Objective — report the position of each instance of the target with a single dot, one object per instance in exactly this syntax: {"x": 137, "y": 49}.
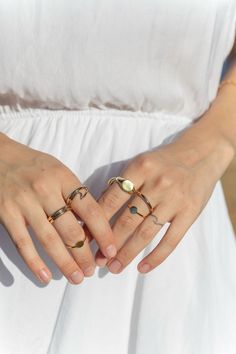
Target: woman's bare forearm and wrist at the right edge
{"x": 214, "y": 134}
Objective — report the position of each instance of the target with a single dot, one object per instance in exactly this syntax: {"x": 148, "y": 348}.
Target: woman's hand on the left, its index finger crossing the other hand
{"x": 33, "y": 185}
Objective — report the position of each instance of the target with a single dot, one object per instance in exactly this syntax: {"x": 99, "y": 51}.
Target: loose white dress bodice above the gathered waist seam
{"x": 157, "y": 55}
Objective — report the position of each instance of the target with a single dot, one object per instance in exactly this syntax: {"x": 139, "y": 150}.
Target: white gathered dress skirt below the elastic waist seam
{"x": 187, "y": 305}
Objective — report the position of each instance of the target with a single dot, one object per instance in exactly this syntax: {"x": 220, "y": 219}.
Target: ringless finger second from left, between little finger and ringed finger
{"x": 53, "y": 244}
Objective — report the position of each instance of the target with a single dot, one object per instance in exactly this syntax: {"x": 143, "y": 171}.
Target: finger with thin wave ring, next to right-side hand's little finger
{"x": 142, "y": 236}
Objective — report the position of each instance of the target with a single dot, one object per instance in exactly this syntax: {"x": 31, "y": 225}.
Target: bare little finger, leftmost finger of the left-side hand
{"x": 19, "y": 234}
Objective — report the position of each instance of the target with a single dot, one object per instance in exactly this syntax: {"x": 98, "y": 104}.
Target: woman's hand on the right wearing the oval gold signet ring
{"x": 178, "y": 180}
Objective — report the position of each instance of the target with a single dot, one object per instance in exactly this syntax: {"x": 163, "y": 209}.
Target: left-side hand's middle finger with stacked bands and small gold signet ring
{"x": 71, "y": 232}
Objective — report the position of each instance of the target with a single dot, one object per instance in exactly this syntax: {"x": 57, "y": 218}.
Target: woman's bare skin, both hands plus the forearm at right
{"x": 178, "y": 179}
